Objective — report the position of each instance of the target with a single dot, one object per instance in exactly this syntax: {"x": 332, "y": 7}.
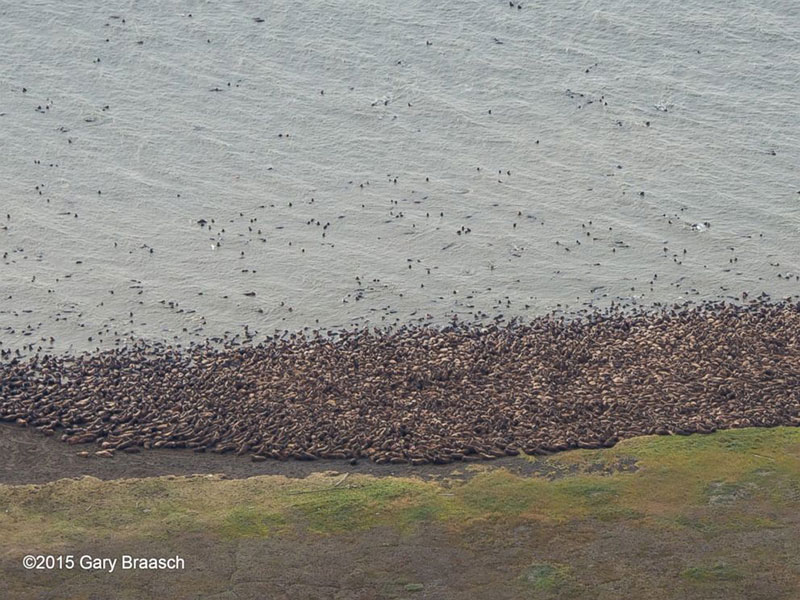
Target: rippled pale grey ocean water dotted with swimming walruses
{"x": 364, "y": 163}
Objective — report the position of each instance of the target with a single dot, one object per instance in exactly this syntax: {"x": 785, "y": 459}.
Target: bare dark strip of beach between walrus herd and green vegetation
{"x": 33, "y": 459}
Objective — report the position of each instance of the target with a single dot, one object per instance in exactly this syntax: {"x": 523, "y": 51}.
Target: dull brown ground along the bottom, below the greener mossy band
{"x": 496, "y": 561}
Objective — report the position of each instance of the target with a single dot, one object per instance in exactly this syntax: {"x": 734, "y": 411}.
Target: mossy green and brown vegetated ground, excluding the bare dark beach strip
{"x": 699, "y": 516}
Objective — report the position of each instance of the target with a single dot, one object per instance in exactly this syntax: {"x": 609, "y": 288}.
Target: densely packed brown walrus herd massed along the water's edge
{"x": 424, "y": 394}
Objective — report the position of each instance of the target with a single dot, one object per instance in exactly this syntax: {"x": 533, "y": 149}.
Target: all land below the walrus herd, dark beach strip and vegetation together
{"x": 703, "y": 517}
